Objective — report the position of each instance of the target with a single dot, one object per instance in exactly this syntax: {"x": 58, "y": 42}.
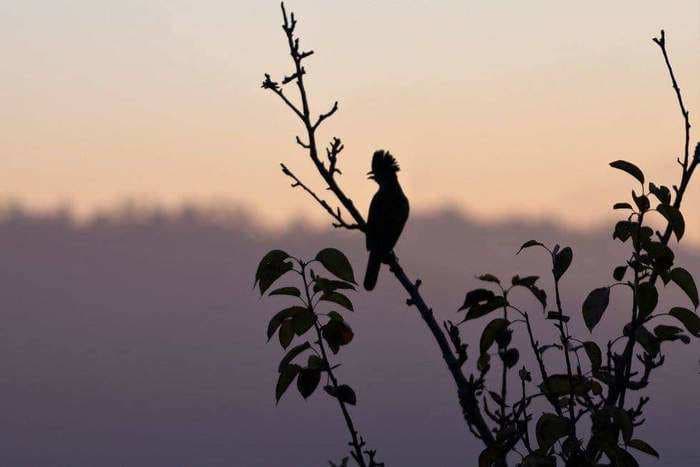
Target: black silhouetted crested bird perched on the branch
{"x": 388, "y": 213}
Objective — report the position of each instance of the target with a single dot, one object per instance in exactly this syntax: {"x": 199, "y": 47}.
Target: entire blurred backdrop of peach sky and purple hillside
{"x": 140, "y": 185}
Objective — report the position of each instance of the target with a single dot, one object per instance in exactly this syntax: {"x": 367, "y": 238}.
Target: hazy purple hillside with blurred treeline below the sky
{"x": 135, "y": 338}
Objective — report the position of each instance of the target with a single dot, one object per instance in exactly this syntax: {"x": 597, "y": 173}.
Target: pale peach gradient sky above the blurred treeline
{"x": 499, "y": 107}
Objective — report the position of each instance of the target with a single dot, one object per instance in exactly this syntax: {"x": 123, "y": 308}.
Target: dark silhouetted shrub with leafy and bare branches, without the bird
{"x": 577, "y": 409}
